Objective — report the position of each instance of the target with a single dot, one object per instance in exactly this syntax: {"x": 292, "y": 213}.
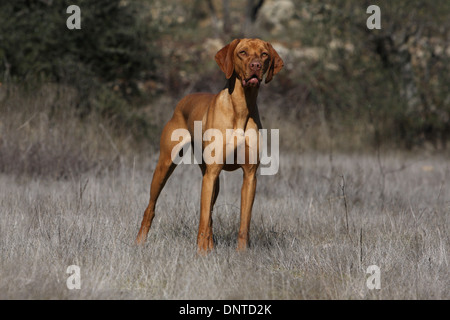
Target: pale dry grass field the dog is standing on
{"x": 317, "y": 226}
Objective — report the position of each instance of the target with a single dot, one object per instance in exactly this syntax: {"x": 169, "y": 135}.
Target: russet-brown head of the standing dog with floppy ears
{"x": 249, "y": 59}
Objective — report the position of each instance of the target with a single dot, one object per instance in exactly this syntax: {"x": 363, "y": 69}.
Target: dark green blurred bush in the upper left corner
{"x": 113, "y": 45}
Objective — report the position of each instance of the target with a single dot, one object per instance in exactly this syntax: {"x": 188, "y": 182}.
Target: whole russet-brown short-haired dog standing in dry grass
{"x": 244, "y": 62}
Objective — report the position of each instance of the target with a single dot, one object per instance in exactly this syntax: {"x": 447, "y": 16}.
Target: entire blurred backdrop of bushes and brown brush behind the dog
{"x": 344, "y": 87}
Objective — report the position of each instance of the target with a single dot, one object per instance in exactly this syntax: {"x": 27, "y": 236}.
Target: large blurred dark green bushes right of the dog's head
{"x": 392, "y": 81}
